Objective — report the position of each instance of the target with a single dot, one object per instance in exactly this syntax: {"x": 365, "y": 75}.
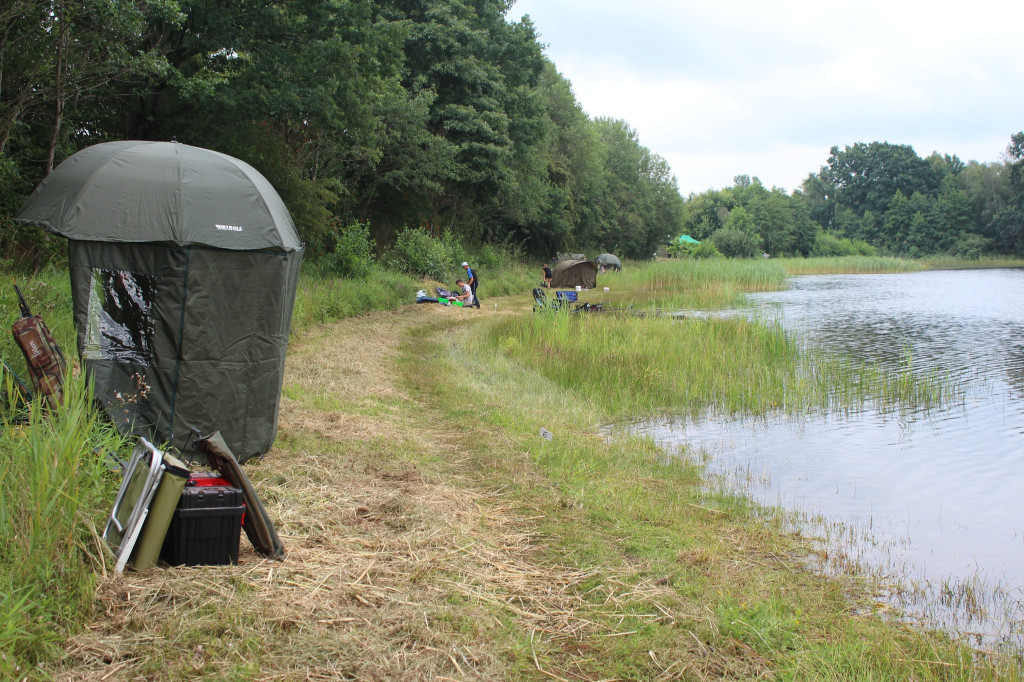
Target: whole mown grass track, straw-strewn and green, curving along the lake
{"x": 433, "y": 535}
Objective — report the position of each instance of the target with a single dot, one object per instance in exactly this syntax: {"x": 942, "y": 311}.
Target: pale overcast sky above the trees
{"x": 765, "y": 90}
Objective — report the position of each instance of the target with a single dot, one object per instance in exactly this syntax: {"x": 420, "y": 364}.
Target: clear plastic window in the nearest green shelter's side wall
{"x": 120, "y": 326}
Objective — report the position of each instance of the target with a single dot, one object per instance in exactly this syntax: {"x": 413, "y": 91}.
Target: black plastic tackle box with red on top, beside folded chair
{"x": 206, "y": 527}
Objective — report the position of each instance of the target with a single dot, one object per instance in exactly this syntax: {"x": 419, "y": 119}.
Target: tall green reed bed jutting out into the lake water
{"x": 641, "y": 366}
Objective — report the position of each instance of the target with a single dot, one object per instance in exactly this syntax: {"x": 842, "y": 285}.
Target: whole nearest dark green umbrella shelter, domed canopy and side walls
{"x": 184, "y": 269}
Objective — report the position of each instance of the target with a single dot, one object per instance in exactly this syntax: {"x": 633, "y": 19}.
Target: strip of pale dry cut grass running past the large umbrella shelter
{"x": 393, "y": 572}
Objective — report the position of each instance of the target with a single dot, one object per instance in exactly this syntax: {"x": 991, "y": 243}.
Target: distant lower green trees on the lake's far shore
{"x": 874, "y": 198}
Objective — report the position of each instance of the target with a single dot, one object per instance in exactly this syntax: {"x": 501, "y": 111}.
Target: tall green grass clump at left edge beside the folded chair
{"x": 56, "y": 495}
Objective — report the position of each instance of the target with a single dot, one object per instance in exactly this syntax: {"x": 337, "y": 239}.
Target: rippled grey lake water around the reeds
{"x": 932, "y": 498}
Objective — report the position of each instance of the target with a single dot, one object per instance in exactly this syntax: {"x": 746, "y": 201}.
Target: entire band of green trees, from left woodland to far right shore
{"x": 376, "y": 117}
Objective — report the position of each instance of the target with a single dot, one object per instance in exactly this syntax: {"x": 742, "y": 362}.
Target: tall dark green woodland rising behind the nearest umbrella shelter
{"x": 436, "y": 115}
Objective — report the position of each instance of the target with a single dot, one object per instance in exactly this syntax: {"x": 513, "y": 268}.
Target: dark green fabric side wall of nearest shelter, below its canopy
{"x": 184, "y": 338}
